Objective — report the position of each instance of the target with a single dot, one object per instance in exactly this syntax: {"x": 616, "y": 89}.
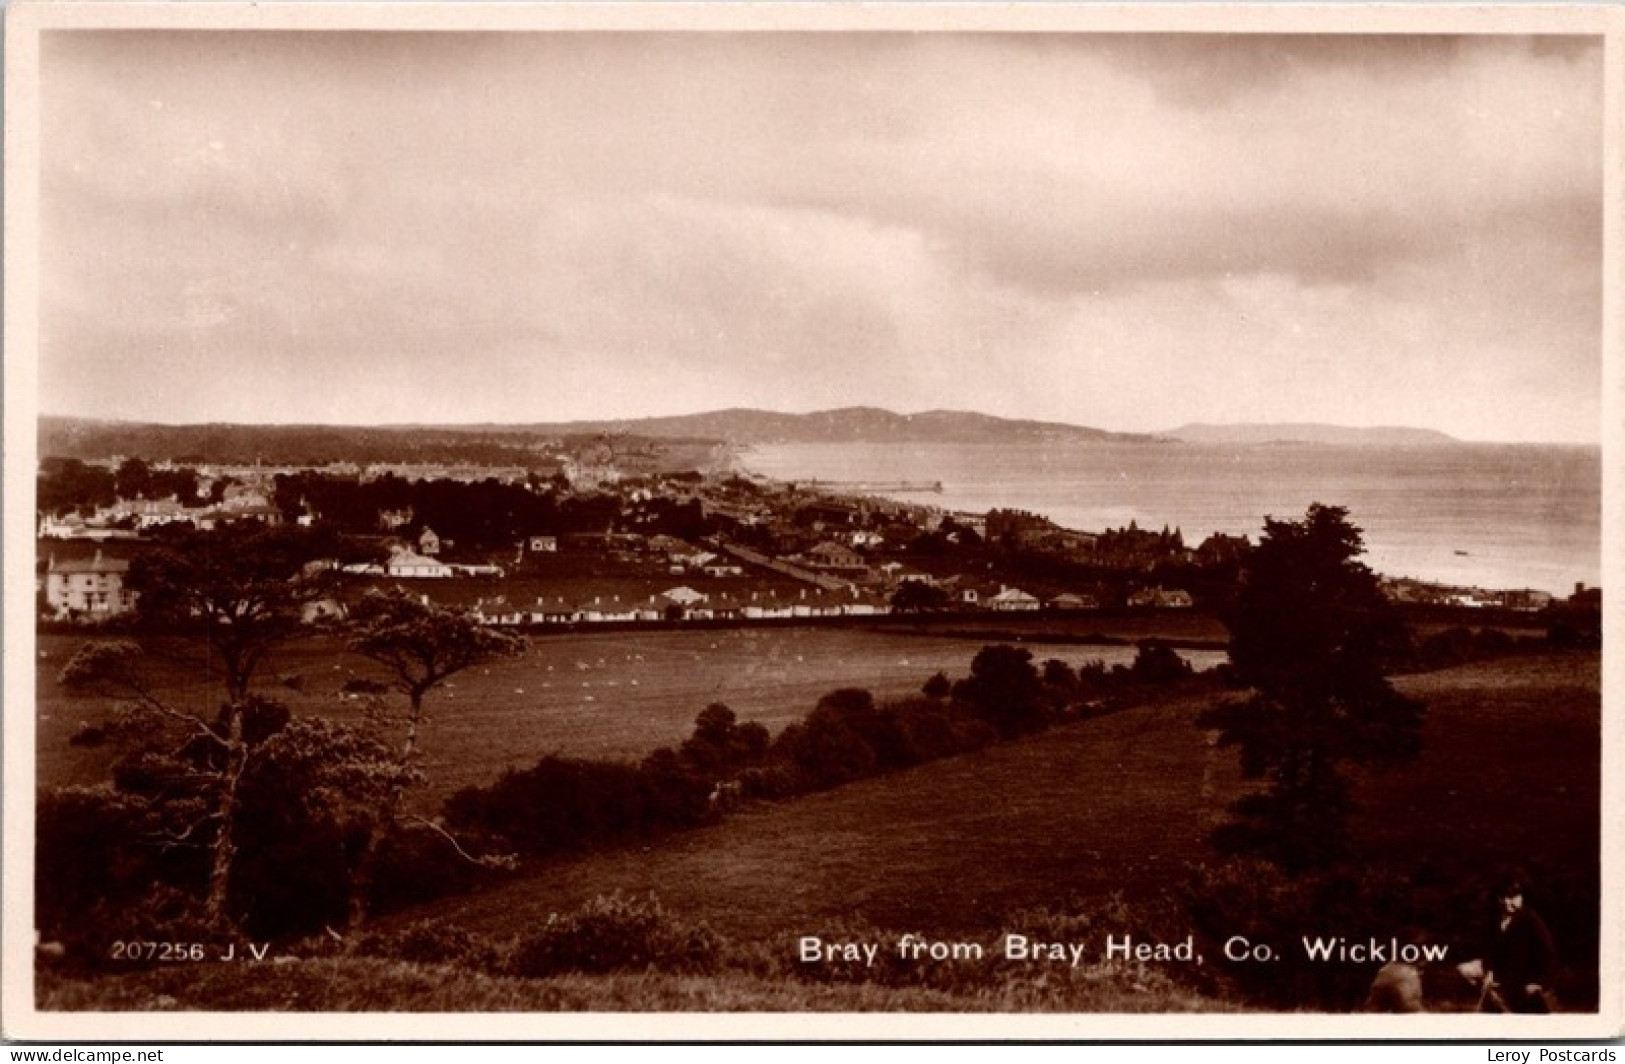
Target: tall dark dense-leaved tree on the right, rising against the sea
{"x": 1311, "y": 638}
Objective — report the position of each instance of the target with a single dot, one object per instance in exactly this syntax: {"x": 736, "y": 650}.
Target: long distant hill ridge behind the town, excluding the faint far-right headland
{"x": 77, "y": 438}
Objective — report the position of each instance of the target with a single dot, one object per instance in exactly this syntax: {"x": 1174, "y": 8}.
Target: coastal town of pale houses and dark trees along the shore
{"x": 635, "y": 532}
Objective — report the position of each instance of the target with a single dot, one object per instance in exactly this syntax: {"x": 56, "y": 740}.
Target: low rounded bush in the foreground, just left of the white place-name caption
{"x": 618, "y": 933}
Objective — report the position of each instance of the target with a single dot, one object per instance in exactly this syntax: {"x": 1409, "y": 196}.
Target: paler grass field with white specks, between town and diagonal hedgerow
{"x": 604, "y": 696}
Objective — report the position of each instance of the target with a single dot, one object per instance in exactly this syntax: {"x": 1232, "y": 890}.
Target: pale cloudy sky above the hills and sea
{"x": 1117, "y": 231}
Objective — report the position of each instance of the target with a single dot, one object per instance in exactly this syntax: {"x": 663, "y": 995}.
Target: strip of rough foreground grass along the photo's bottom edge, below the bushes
{"x": 365, "y": 985}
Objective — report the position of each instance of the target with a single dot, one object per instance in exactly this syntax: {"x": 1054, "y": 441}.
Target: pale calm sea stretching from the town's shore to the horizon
{"x": 1476, "y": 516}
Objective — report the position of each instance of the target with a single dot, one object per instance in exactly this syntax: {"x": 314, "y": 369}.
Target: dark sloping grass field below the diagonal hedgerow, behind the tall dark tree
{"x": 1119, "y": 805}
